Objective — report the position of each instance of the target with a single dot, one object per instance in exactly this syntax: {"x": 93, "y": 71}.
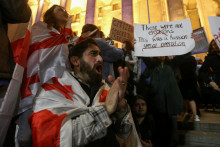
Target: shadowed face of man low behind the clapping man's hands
{"x": 140, "y": 108}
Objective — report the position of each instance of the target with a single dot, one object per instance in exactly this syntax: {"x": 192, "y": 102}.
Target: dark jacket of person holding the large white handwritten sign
{"x": 165, "y": 96}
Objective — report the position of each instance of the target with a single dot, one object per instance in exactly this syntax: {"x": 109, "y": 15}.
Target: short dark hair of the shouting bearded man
{"x": 81, "y": 47}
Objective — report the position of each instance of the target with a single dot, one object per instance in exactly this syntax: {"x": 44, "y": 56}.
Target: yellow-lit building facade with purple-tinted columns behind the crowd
{"x": 101, "y": 12}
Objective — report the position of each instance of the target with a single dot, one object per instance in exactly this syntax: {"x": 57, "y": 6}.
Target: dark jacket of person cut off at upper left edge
{"x": 11, "y": 11}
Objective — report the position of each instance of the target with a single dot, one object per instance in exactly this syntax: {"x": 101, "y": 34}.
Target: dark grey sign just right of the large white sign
{"x": 201, "y": 41}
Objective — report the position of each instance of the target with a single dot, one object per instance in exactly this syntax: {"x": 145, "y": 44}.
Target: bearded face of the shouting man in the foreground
{"x": 91, "y": 65}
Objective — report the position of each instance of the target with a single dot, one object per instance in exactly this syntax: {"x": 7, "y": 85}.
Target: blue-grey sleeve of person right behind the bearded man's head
{"x": 109, "y": 53}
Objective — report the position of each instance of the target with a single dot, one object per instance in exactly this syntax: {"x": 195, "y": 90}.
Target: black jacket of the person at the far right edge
{"x": 211, "y": 60}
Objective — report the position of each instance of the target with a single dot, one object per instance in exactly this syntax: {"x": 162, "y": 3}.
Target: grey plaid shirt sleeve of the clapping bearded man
{"x": 90, "y": 126}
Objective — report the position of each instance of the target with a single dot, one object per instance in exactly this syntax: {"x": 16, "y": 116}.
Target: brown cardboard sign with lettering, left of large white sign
{"x": 121, "y": 31}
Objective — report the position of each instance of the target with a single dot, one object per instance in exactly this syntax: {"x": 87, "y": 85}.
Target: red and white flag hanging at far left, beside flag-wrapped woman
{"x": 19, "y": 35}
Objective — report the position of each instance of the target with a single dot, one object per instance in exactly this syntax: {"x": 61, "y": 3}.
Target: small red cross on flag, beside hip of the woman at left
{"x": 25, "y": 89}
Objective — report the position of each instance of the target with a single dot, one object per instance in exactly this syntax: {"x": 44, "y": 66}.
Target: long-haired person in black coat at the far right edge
{"x": 211, "y": 65}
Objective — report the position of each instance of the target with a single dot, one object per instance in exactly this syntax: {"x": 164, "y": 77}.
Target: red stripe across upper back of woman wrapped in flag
{"x": 56, "y": 39}
